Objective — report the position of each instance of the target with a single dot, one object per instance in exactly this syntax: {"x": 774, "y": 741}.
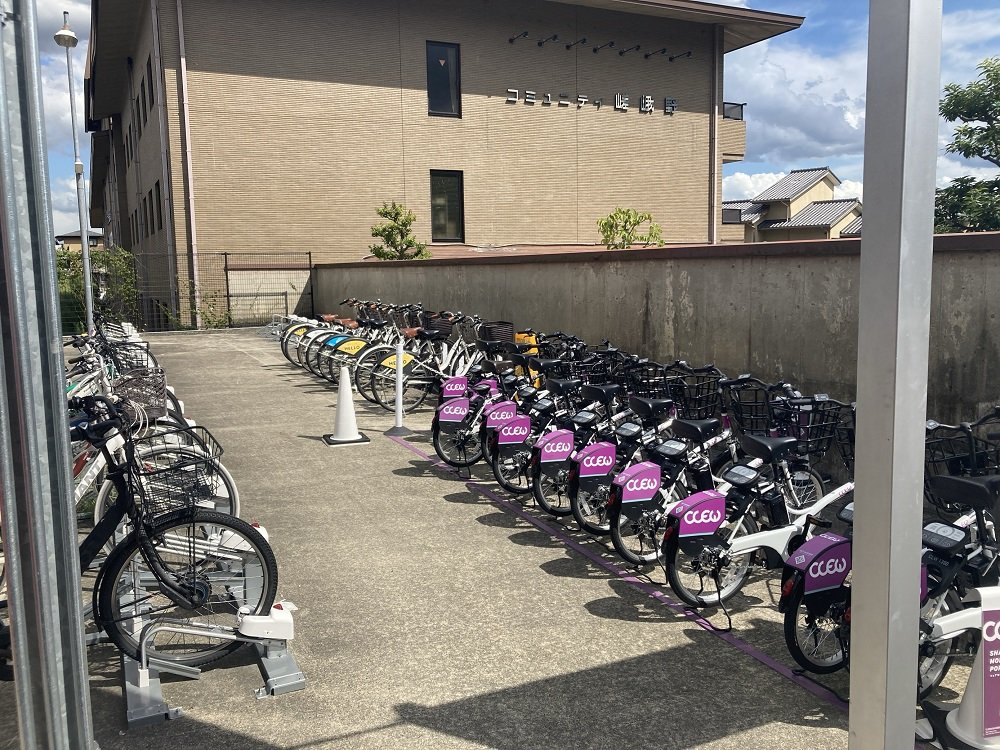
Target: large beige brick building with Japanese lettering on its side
{"x": 252, "y": 125}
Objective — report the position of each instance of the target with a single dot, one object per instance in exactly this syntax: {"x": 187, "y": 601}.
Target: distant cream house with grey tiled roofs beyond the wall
{"x": 800, "y": 206}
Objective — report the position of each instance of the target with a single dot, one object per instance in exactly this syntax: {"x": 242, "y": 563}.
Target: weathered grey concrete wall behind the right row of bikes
{"x": 778, "y": 310}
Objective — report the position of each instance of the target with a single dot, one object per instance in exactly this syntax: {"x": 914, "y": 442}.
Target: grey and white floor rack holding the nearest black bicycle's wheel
{"x": 267, "y": 634}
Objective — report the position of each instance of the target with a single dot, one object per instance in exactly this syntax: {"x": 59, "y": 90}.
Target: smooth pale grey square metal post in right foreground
{"x": 904, "y": 40}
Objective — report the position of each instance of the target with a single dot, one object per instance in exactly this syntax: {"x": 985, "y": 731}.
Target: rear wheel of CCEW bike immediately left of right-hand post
{"x": 816, "y": 641}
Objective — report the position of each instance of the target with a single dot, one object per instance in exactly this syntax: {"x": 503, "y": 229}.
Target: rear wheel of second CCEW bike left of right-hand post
{"x": 691, "y": 576}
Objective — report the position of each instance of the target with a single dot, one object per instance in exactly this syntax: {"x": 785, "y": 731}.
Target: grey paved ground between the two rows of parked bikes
{"x": 439, "y": 612}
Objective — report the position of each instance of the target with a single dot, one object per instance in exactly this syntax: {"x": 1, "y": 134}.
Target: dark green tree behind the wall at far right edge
{"x": 967, "y": 204}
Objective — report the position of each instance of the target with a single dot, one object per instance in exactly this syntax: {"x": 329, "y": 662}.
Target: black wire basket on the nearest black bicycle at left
{"x": 178, "y": 470}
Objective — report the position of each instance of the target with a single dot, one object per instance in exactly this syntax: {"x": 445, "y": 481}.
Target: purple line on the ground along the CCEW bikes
{"x": 803, "y": 682}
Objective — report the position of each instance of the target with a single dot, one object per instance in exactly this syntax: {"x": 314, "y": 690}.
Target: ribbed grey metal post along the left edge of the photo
{"x": 39, "y": 520}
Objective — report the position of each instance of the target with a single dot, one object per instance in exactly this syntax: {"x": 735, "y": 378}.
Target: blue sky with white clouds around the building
{"x": 805, "y": 94}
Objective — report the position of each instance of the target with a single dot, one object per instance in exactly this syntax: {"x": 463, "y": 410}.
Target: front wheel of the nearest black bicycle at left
{"x": 222, "y": 558}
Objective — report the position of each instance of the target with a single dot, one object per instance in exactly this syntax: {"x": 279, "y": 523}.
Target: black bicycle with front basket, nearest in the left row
{"x": 177, "y": 562}
